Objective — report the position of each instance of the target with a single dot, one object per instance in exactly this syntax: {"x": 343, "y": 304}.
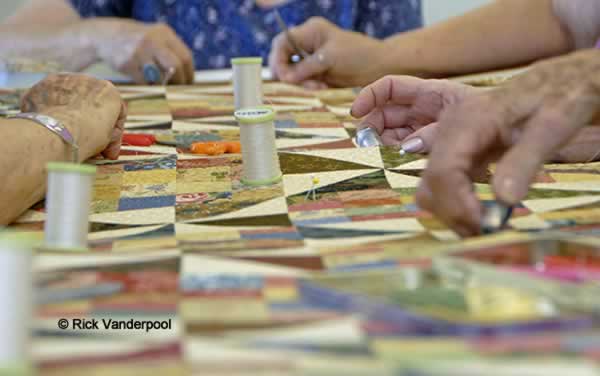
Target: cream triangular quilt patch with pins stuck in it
{"x": 295, "y": 184}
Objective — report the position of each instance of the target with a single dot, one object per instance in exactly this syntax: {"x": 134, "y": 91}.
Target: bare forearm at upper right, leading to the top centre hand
{"x": 503, "y": 34}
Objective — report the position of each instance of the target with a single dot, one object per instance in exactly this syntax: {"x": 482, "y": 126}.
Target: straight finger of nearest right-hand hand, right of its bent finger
{"x": 544, "y": 133}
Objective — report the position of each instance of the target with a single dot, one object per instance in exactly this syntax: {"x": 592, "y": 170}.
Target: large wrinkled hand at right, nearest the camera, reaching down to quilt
{"x": 521, "y": 125}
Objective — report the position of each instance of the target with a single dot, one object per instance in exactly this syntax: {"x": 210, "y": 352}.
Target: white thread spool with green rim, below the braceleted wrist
{"x": 68, "y": 206}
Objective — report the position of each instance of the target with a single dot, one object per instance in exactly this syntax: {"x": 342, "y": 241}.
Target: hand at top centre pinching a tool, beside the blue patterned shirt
{"x": 338, "y": 57}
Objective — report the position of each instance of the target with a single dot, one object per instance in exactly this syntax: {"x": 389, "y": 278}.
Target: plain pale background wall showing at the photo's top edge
{"x": 435, "y": 10}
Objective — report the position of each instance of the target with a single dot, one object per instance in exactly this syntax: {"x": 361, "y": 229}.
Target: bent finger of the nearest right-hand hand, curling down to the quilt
{"x": 470, "y": 131}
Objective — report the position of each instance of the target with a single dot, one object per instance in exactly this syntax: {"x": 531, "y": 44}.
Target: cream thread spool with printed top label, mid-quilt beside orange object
{"x": 259, "y": 152}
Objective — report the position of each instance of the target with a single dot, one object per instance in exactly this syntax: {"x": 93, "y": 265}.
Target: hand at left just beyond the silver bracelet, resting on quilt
{"x": 91, "y": 109}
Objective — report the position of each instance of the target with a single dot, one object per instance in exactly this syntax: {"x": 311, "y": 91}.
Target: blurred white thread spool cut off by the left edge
{"x": 17, "y": 302}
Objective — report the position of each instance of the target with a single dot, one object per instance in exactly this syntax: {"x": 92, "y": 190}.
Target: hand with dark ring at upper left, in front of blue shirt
{"x": 128, "y": 45}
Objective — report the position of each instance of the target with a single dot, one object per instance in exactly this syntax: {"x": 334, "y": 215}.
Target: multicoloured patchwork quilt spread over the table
{"x": 263, "y": 280}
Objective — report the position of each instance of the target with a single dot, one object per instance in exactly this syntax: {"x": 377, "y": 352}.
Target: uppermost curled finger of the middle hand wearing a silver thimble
{"x": 395, "y": 89}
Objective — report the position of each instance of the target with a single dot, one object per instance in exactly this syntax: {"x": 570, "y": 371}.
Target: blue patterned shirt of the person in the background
{"x": 217, "y": 30}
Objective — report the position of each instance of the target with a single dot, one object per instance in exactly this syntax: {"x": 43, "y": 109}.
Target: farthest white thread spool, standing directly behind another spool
{"x": 247, "y": 82}
